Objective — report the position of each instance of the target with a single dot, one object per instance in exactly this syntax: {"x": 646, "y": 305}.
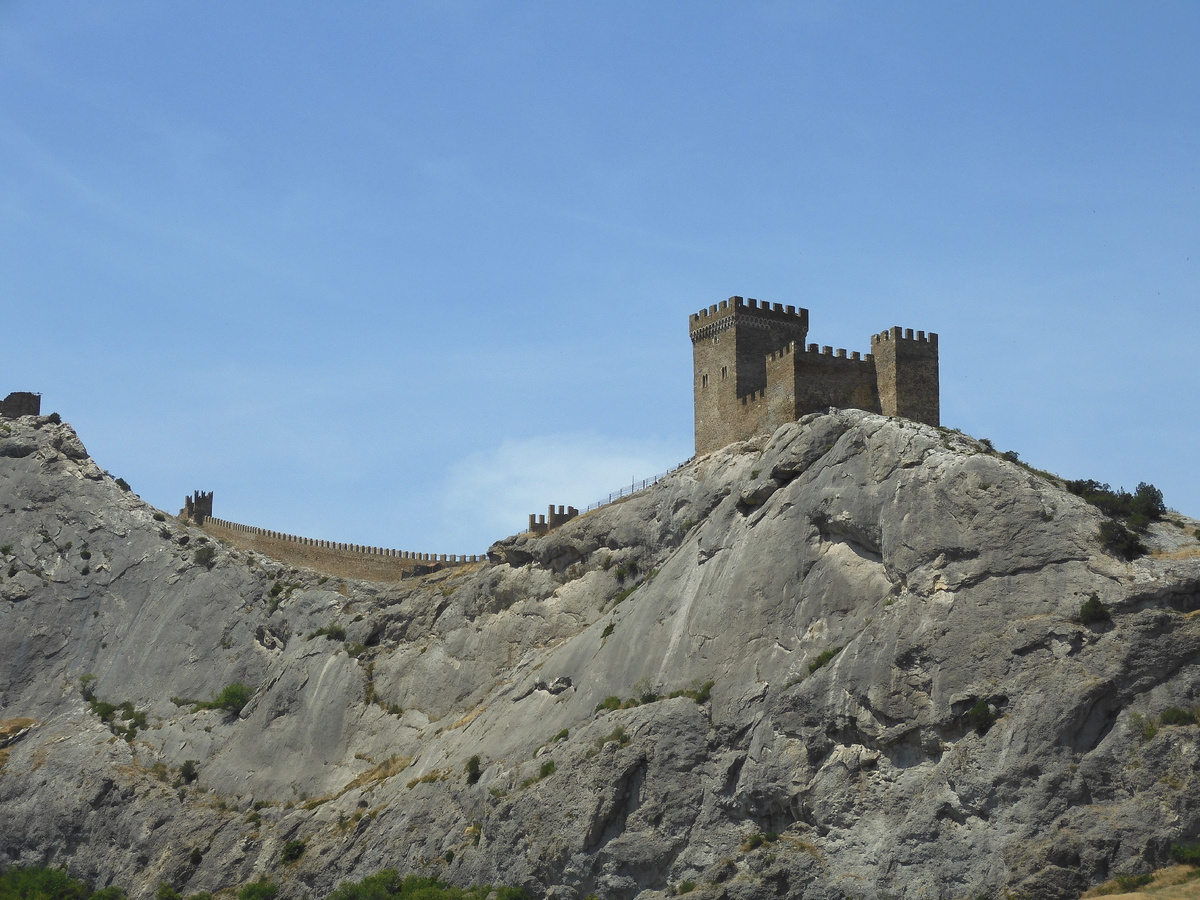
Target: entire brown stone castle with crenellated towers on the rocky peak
{"x": 754, "y": 373}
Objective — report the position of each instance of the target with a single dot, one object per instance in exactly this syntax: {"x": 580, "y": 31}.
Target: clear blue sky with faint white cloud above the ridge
{"x": 400, "y": 274}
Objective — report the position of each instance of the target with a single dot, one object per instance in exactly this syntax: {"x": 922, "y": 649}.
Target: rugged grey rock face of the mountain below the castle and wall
{"x": 950, "y": 579}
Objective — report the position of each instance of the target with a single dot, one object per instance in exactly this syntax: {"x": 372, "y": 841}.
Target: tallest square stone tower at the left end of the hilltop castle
{"x": 730, "y": 345}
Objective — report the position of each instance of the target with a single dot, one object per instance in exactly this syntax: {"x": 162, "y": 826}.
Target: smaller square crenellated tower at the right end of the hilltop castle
{"x": 907, "y": 369}
